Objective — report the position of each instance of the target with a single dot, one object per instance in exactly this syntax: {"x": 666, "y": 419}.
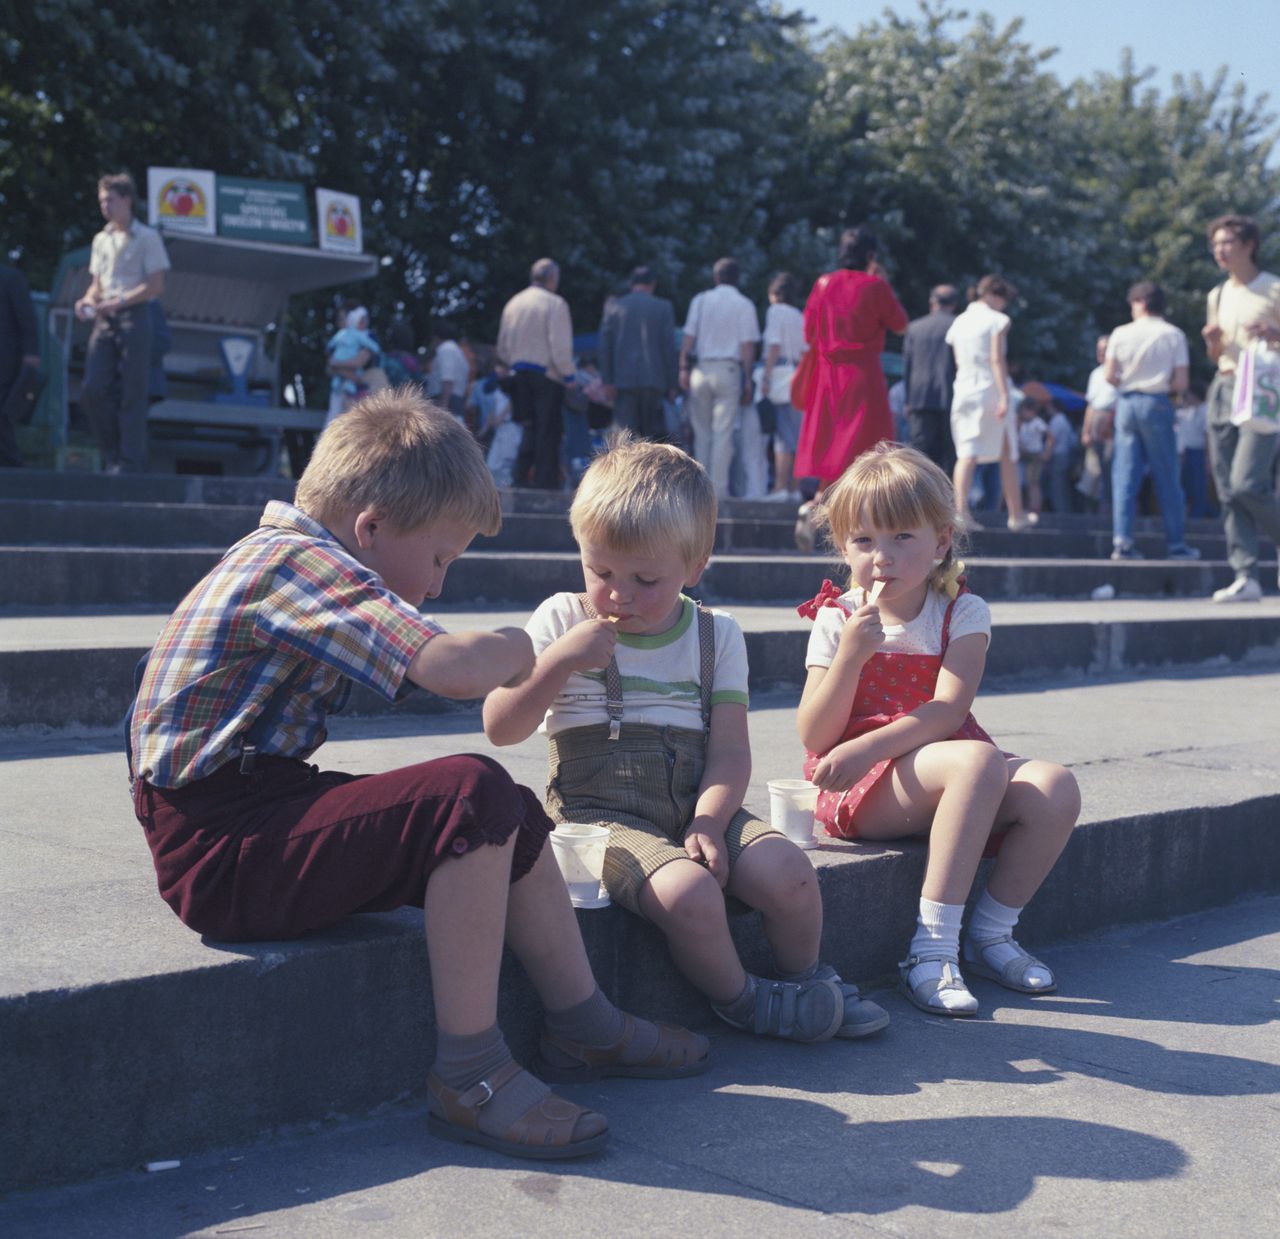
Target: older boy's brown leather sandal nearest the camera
{"x": 543, "y": 1133}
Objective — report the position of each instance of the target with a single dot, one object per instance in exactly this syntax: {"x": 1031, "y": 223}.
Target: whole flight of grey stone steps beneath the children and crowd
{"x": 129, "y": 1039}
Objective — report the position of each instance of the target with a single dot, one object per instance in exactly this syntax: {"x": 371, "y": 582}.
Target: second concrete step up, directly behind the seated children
{"x": 77, "y": 670}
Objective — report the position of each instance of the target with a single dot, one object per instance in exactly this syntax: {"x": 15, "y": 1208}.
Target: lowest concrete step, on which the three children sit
{"x": 127, "y": 1037}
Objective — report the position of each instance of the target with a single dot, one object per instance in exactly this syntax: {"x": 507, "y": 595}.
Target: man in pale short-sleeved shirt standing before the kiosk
{"x": 127, "y": 266}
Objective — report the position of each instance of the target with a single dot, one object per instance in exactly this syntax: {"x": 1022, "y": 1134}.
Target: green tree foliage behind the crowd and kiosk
{"x": 482, "y": 136}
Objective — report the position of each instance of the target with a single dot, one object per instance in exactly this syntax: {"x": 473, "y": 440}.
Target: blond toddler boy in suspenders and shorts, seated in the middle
{"x": 643, "y": 696}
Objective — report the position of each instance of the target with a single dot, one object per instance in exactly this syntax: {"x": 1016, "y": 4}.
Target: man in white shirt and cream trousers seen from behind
{"x": 723, "y": 331}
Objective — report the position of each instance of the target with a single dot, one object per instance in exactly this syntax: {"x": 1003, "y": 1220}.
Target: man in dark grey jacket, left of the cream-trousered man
{"x": 638, "y": 356}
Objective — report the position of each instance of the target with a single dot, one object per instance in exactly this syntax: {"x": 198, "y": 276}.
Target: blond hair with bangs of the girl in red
{"x": 895, "y": 487}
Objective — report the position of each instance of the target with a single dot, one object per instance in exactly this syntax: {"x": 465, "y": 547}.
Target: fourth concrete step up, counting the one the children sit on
{"x": 51, "y": 523}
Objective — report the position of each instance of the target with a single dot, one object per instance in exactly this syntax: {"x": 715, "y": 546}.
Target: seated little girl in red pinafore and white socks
{"x": 893, "y": 747}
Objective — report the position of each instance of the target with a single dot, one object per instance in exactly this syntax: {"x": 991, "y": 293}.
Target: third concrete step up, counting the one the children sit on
{"x": 132, "y": 577}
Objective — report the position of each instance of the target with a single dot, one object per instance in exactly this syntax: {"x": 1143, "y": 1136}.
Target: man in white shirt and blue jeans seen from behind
{"x": 1148, "y": 362}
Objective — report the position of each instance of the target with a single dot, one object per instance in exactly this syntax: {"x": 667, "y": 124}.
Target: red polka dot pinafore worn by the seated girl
{"x": 889, "y": 688}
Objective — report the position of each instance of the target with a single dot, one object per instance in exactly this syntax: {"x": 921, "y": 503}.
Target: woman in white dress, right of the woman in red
{"x": 981, "y": 423}
